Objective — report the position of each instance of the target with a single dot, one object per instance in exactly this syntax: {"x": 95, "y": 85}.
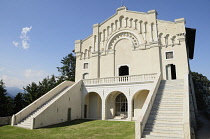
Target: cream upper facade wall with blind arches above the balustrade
{"x": 138, "y": 40}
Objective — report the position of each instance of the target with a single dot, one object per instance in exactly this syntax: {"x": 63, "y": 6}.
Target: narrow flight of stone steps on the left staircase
{"x": 26, "y": 122}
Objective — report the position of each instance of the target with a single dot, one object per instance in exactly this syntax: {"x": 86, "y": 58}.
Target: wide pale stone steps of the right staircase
{"x": 166, "y": 117}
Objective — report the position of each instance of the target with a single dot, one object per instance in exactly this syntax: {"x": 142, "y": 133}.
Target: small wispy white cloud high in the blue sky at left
{"x": 24, "y": 38}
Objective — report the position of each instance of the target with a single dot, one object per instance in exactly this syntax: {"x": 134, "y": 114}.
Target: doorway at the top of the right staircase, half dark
{"x": 171, "y": 72}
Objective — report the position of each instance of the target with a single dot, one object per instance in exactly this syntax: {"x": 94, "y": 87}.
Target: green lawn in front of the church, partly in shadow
{"x": 77, "y": 129}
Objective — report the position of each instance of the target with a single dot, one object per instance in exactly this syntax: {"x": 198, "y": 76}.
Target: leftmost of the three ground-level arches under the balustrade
{"x": 92, "y": 106}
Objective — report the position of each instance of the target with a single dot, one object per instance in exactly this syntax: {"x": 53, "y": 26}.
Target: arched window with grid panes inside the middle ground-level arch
{"x": 121, "y": 105}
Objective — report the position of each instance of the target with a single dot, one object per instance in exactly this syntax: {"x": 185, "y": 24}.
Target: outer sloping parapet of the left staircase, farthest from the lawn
{"x": 39, "y": 102}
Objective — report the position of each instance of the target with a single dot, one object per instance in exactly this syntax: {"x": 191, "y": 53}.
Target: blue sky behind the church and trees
{"x": 36, "y": 34}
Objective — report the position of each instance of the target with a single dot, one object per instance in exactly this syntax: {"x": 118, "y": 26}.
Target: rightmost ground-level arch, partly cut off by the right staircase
{"x": 138, "y": 102}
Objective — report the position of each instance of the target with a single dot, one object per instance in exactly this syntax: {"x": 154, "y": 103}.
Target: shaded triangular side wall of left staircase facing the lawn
{"x": 57, "y": 112}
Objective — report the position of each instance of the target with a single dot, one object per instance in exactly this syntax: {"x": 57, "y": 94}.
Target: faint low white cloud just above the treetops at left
{"x": 29, "y": 73}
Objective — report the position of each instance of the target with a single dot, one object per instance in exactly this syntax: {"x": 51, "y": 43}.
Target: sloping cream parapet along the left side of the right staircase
{"x": 145, "y": 111}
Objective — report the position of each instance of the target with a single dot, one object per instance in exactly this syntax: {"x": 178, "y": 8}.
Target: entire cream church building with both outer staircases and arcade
{"x": 133, "y": 67}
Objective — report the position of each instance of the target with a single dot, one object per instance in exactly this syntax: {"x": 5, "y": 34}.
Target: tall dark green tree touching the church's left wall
{"x": 68, "y": 68}
